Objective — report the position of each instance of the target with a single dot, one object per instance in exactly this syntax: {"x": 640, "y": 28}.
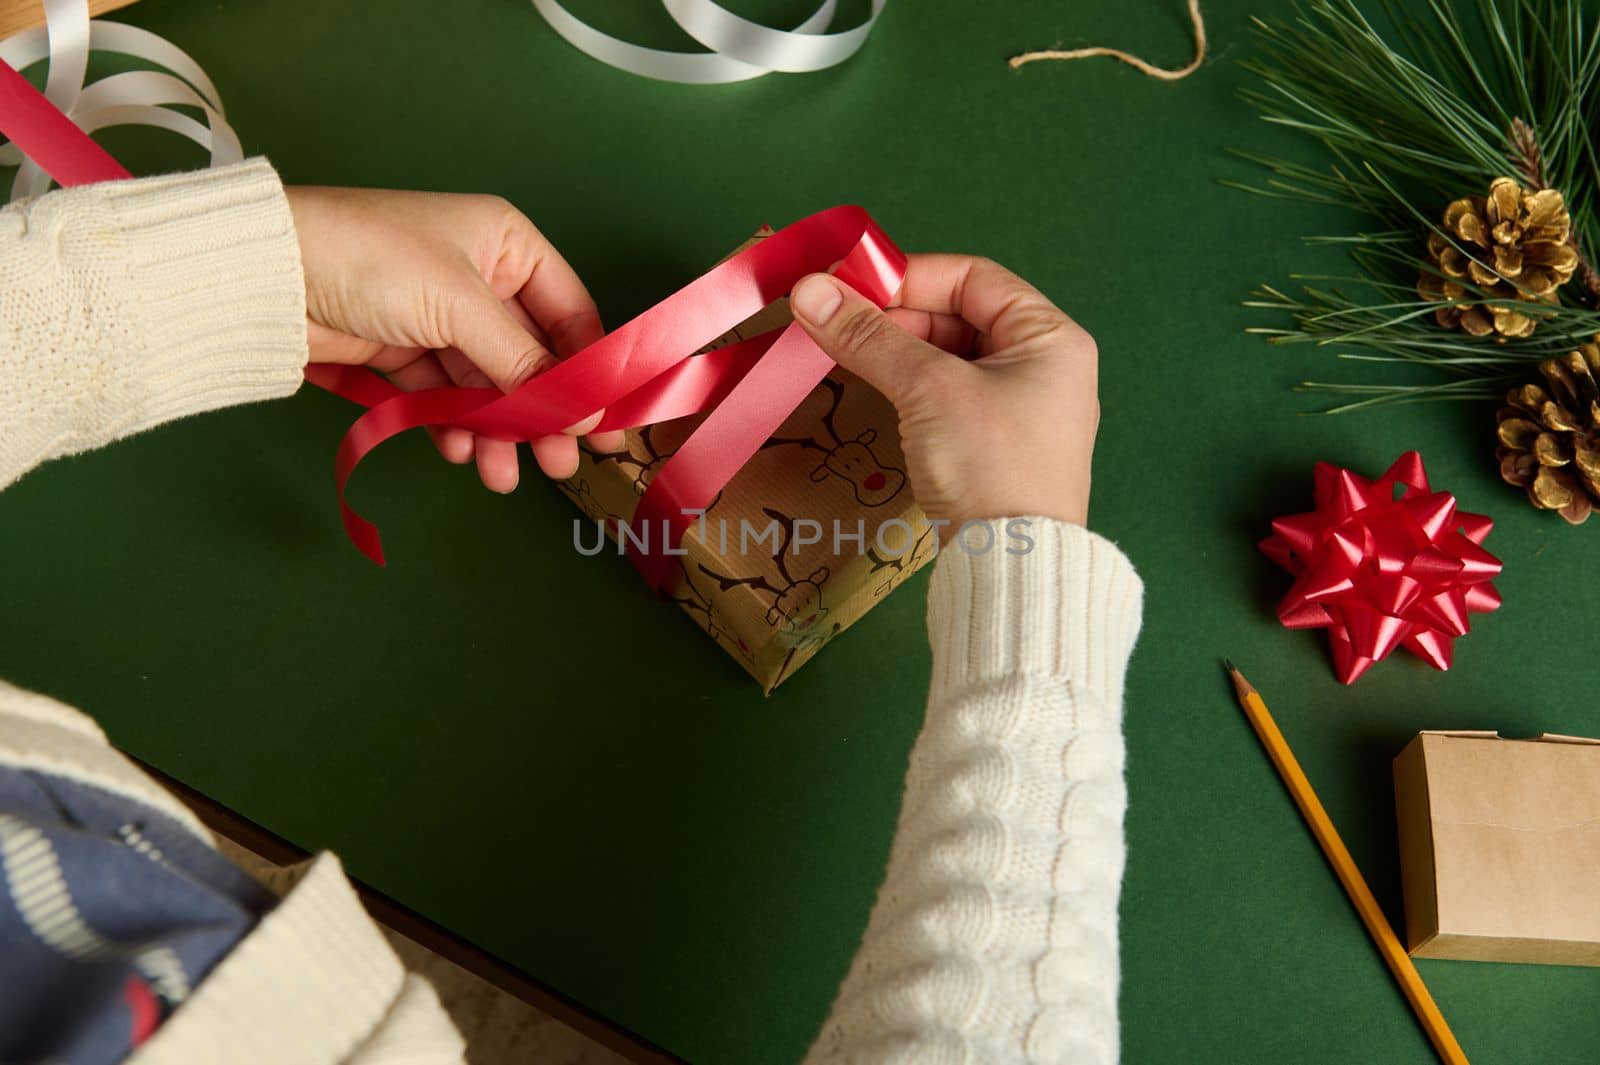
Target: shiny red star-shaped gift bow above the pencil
{"x": 1383, "y": 565}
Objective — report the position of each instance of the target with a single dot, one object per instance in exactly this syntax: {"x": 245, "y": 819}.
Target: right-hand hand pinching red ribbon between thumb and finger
{"x": 1004, "y": 431}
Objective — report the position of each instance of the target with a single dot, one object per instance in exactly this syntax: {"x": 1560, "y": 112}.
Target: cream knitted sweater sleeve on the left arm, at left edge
{"x": 134, "y": 303}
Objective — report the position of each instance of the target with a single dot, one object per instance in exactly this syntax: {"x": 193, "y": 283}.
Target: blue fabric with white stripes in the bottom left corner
{"x": 111, "y": 914}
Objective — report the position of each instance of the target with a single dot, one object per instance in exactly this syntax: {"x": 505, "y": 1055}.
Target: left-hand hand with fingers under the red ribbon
{"x": 438, "y": 290}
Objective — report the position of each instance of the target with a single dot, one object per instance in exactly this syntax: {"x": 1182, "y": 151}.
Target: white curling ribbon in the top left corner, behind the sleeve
{"x": 138, "y": 98}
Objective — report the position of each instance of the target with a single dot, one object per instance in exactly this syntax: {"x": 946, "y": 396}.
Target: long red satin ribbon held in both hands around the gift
{"x": 646, "y": 372}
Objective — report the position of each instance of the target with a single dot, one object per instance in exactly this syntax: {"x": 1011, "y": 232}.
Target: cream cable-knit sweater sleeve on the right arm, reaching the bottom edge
{"x": 994, "y": 936}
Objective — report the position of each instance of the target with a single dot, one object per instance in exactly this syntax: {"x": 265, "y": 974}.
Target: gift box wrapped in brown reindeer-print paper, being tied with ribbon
{"x": 812, "y": 533}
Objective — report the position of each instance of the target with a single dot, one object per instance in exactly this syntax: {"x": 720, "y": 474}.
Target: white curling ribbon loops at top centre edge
{"x": 740, "y": 49}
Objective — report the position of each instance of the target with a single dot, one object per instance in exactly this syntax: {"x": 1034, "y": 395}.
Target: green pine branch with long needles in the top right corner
{"x": 1417, "y": 113}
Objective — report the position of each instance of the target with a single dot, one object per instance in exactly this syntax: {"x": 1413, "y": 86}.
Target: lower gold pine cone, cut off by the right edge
{"x": 1550, "y": 439}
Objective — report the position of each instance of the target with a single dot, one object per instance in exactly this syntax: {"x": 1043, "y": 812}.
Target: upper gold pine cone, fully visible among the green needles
{"x": 1511, "y": 245}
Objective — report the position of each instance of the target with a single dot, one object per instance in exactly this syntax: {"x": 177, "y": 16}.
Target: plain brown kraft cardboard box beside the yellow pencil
{"x": 1500, "y": 848}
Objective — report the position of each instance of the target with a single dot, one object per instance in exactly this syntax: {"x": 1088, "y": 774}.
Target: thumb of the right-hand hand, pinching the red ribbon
{"x": 860, "y": 337}
